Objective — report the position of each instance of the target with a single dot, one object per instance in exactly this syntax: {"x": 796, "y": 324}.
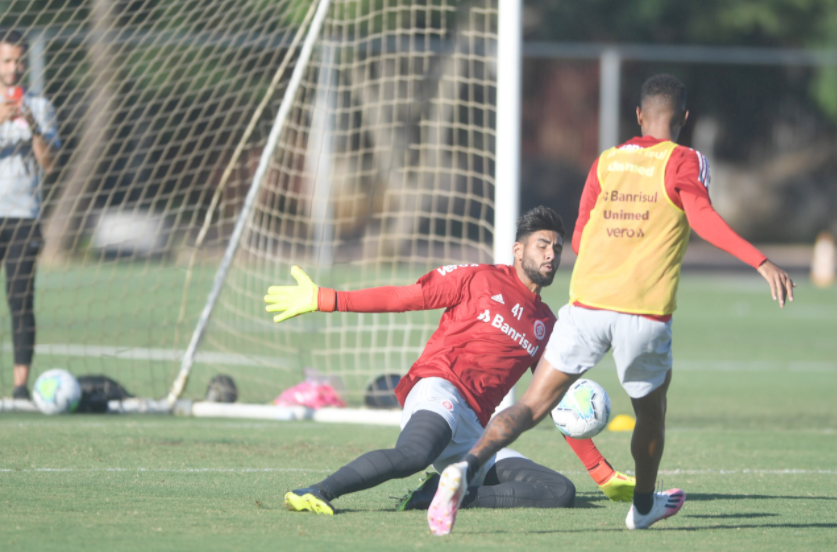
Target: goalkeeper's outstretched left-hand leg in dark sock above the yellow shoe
{"x": 421, "y": 441}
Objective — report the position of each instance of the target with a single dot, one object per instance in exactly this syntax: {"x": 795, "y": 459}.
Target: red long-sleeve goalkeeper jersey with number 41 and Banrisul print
{"x": 492, "y": 330}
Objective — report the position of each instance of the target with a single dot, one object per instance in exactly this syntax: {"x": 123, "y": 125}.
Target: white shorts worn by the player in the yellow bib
{"x": 641, "y": 347}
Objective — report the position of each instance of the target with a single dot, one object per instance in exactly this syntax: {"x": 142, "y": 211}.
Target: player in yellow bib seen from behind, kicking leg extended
{"x": 638, "y": 203}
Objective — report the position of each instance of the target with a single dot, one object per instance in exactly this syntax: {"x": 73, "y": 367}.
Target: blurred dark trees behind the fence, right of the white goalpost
{"x": 768, "y": 129}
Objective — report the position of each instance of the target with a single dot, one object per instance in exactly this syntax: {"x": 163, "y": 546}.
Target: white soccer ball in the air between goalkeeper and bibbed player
{"x": 584, "y": 410}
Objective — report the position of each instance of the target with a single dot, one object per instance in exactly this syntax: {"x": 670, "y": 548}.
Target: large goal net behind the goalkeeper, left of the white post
{"x": 380, "y": 170}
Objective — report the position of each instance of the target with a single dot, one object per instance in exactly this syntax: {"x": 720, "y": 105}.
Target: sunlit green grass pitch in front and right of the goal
{"x": 751, "y": 438}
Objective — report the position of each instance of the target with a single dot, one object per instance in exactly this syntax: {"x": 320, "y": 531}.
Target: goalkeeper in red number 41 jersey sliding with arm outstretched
{"x": 494, "y": 328}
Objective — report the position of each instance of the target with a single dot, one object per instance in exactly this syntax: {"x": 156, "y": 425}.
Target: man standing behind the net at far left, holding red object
{"x": 28, "y": 140}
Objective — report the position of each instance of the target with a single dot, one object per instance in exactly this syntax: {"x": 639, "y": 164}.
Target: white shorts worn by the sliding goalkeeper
{"x": 440, "y": 396}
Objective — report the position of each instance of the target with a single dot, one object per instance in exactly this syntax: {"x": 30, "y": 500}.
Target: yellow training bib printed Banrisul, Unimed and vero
{"x": 633, "y": 245}
